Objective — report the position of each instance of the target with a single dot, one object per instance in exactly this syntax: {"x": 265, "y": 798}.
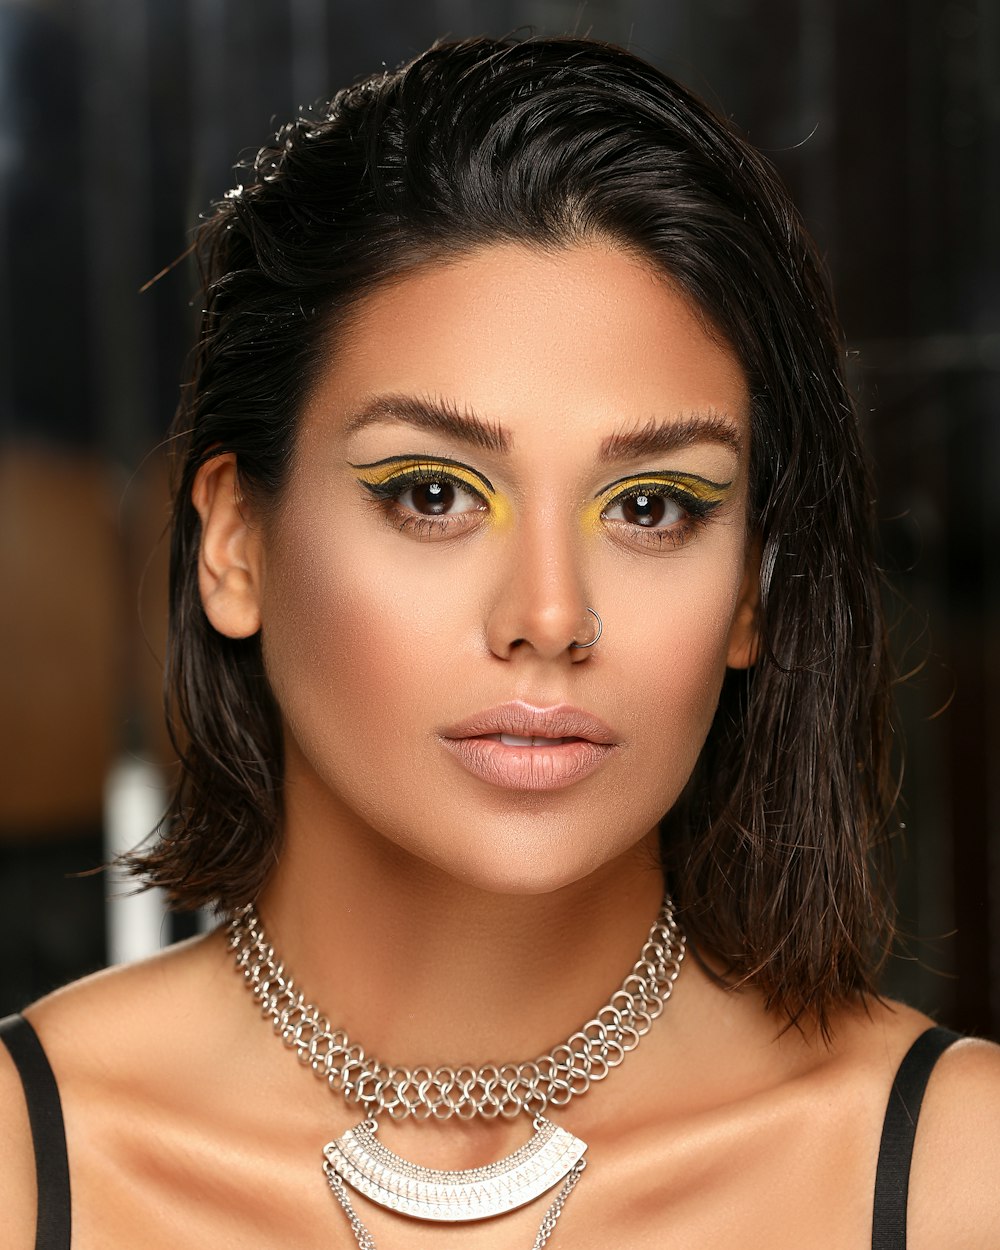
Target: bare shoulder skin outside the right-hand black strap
{"x": 954, "y": 1188}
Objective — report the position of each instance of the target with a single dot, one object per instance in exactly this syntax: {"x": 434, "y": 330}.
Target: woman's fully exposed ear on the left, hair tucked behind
{"x": 229, "y": 562}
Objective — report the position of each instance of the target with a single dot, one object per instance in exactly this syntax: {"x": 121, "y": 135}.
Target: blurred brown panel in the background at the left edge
{"x": 61, "y": 622}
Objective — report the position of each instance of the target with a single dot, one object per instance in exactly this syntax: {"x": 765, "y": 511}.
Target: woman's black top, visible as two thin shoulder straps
{"x": 52, "y": 1167}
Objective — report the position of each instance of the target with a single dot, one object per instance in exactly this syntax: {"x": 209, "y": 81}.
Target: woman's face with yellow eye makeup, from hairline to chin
{"x": 496, "y": 446}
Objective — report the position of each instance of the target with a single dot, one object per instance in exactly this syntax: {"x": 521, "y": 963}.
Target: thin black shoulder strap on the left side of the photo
{"x": 46, "y": 1116}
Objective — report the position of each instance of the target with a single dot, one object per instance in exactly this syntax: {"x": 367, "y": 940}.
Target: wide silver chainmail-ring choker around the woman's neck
{"x": 549, "y": 1082}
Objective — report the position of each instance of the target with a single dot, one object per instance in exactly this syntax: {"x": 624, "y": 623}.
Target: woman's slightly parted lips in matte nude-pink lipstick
{"x": 538, "y": 767}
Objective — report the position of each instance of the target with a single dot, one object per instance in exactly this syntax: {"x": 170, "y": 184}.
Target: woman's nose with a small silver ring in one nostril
{"x": 541, "y": 604}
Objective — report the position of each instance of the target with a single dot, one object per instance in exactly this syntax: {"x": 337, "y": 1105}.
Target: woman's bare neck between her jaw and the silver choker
{"x": 421, "y": 968}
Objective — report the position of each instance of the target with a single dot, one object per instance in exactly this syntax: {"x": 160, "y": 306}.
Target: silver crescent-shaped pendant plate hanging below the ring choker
{"x": 476, "y": 1194}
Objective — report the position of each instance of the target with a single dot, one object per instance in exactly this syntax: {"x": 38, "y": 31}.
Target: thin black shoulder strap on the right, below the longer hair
{"x": 893, "y": 1174}
